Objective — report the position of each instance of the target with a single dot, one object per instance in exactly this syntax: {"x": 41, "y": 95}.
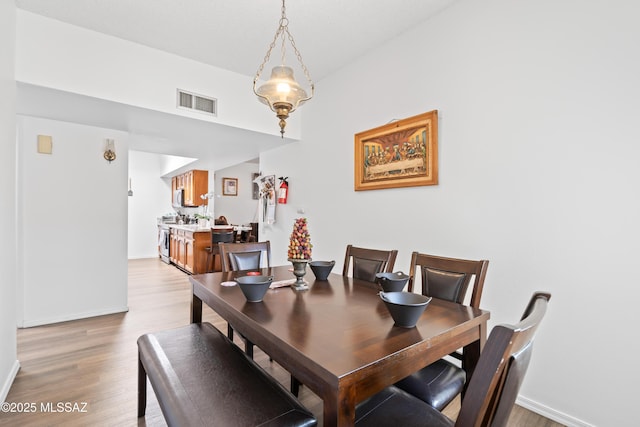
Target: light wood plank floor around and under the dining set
{"x": 93, "y": 362}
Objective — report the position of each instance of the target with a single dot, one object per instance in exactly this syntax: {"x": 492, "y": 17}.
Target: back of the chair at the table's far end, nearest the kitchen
{"x": 245, "y": 256}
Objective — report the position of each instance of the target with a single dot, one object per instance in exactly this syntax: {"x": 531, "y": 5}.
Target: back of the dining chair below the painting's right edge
{"x": 448, "y": 278}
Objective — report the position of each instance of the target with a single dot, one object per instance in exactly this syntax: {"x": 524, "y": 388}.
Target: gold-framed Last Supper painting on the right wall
{"x": 403, "y": 153}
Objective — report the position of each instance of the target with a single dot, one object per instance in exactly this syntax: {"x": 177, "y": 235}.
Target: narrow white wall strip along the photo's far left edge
{"x": 8, "y": 354}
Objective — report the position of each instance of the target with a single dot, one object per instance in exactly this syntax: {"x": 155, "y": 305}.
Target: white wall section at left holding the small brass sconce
{"x": 72, "y": 211}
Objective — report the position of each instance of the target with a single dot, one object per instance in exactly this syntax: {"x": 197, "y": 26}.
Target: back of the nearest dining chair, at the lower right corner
{"x": 495, "y": 383}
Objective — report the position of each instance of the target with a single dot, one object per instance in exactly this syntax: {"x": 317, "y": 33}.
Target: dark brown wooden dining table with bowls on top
{"x": 338, "y": 338}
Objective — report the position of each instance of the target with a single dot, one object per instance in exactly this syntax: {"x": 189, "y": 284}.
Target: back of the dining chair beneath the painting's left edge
{"x": 368, "y": 262}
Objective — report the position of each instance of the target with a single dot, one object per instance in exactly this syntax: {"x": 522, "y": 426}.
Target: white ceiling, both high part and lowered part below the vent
{"x": 230, "y": 34}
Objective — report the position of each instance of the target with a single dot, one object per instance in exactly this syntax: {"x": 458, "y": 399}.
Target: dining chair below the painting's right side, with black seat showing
{"x": 445, "y": 278}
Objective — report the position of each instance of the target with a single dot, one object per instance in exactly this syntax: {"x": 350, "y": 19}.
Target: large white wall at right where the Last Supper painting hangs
{"x": 538, "y": 107}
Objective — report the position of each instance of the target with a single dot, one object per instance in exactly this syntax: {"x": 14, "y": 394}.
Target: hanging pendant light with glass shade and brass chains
{"x": 282, "y": 93}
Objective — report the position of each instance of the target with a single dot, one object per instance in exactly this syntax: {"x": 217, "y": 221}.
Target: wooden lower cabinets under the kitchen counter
{"x": 188, "y": 249}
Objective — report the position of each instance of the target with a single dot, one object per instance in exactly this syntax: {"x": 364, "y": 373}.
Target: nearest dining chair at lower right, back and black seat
{"x": 492, "y": 390}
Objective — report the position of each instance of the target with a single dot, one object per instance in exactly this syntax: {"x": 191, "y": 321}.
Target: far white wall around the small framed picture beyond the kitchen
{"x": 240, "y": 209}
